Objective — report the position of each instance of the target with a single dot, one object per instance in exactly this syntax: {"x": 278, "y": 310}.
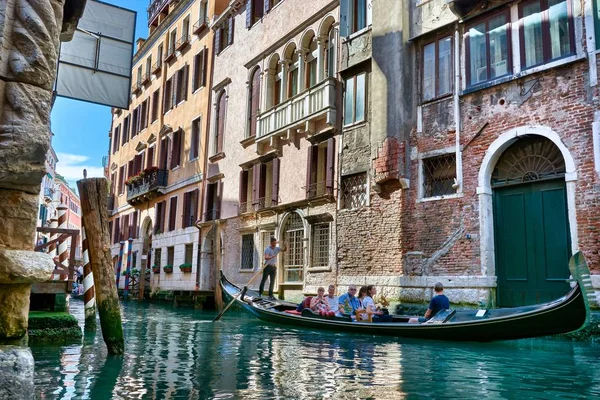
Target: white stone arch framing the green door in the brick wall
{"x": 484, "y": 189}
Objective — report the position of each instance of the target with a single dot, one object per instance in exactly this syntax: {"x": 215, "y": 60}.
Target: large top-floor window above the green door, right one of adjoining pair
{"x": 546, "y": 31}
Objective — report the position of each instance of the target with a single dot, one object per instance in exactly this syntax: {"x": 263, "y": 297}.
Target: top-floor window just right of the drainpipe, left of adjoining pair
{"x": 488, "y": 49}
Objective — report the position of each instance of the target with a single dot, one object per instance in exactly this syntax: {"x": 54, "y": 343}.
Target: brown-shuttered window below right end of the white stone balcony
{"x": 320, "y": 169}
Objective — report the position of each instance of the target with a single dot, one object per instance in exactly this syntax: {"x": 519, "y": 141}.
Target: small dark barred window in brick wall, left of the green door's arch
{"x": 438, "y": 175}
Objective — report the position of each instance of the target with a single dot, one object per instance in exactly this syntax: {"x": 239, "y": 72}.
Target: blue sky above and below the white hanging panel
{"x": 81, "y": 129}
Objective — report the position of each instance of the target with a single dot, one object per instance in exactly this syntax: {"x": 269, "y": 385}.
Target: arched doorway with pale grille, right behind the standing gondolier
{"x": 292, "y": 233}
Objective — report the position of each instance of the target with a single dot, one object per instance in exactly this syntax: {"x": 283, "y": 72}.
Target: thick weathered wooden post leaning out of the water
{"x": 93, "y": 194}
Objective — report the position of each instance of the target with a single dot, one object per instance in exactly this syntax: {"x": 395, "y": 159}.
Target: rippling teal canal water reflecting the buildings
{"x": 181, "y": 354}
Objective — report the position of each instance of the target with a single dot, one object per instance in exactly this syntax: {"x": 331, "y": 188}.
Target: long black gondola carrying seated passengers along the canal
{"x": 566, "y": 314}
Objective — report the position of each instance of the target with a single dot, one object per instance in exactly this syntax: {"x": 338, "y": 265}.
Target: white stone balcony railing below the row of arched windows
{"x": 310, "y": 104}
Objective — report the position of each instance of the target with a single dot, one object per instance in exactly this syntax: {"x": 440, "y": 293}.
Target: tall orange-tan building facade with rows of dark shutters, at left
{"x": 158, "y": 146}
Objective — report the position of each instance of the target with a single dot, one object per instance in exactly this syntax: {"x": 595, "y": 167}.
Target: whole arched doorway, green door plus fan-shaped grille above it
{"x": 531, "y": 222}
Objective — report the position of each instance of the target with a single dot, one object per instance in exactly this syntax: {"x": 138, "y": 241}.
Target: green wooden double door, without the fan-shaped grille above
{"x": 532, "y": 242}
